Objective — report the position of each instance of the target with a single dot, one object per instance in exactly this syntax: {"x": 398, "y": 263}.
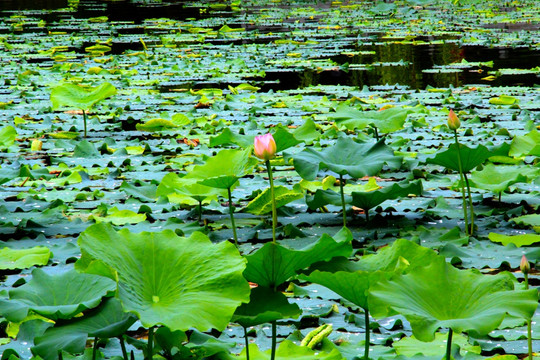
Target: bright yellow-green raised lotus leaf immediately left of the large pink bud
{"x": 224, "y": 169}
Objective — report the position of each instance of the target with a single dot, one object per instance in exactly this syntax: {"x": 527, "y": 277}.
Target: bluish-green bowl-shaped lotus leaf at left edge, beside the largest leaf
{"x": 60, "y": 296}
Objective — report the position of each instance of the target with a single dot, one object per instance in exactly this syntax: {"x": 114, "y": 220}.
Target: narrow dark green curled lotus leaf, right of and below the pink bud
{"x": 368, "y": 200}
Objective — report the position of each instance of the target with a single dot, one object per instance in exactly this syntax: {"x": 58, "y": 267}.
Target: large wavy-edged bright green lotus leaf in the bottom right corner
{"x": 440, "y": 295}
